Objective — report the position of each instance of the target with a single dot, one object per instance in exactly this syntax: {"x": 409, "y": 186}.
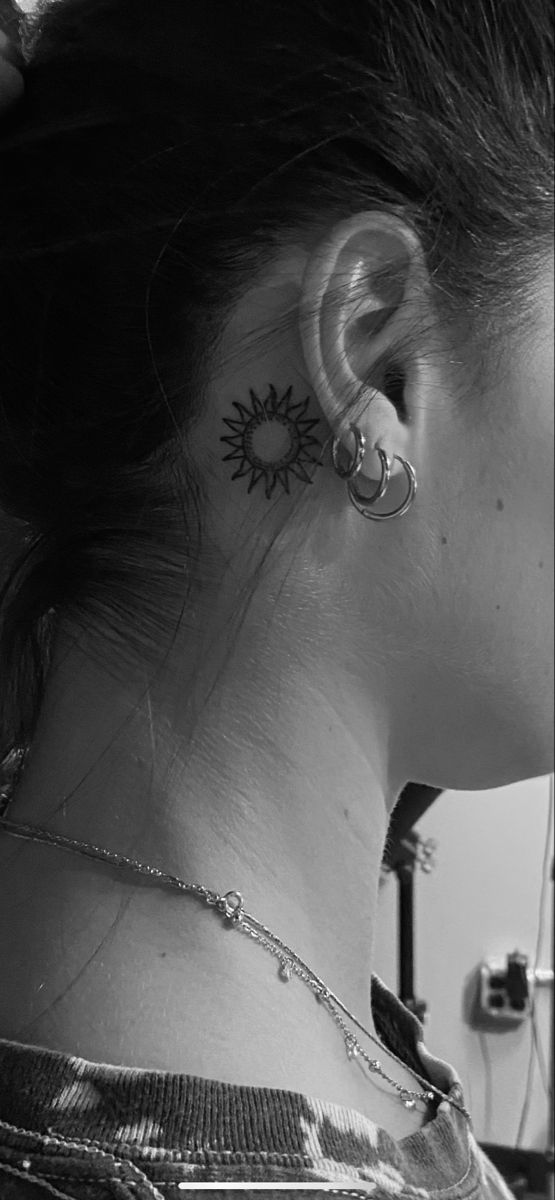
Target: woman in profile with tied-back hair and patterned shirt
{"x": 277, "y": 400}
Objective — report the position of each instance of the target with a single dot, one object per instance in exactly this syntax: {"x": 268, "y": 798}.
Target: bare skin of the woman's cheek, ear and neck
{"x": 268, "y": 754}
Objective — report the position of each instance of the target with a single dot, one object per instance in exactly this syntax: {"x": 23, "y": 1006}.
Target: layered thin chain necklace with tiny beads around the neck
{"x": 231, "y": 908}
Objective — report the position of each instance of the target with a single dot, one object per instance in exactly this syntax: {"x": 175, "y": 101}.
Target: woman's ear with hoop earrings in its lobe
{"x": 360, "y": 295}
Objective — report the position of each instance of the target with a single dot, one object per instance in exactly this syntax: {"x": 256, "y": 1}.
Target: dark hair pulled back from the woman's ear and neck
{"x": 162, "y": 155}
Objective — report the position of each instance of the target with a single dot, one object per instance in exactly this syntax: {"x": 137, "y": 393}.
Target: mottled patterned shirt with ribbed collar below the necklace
{"x": 74, "y": 1129}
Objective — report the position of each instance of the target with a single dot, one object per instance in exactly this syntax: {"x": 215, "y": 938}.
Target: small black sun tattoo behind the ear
{"x": 272, "y": 440}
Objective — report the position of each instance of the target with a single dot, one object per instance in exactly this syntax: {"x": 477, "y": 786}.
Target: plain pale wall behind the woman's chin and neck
{"x": 482, "y": 901}
